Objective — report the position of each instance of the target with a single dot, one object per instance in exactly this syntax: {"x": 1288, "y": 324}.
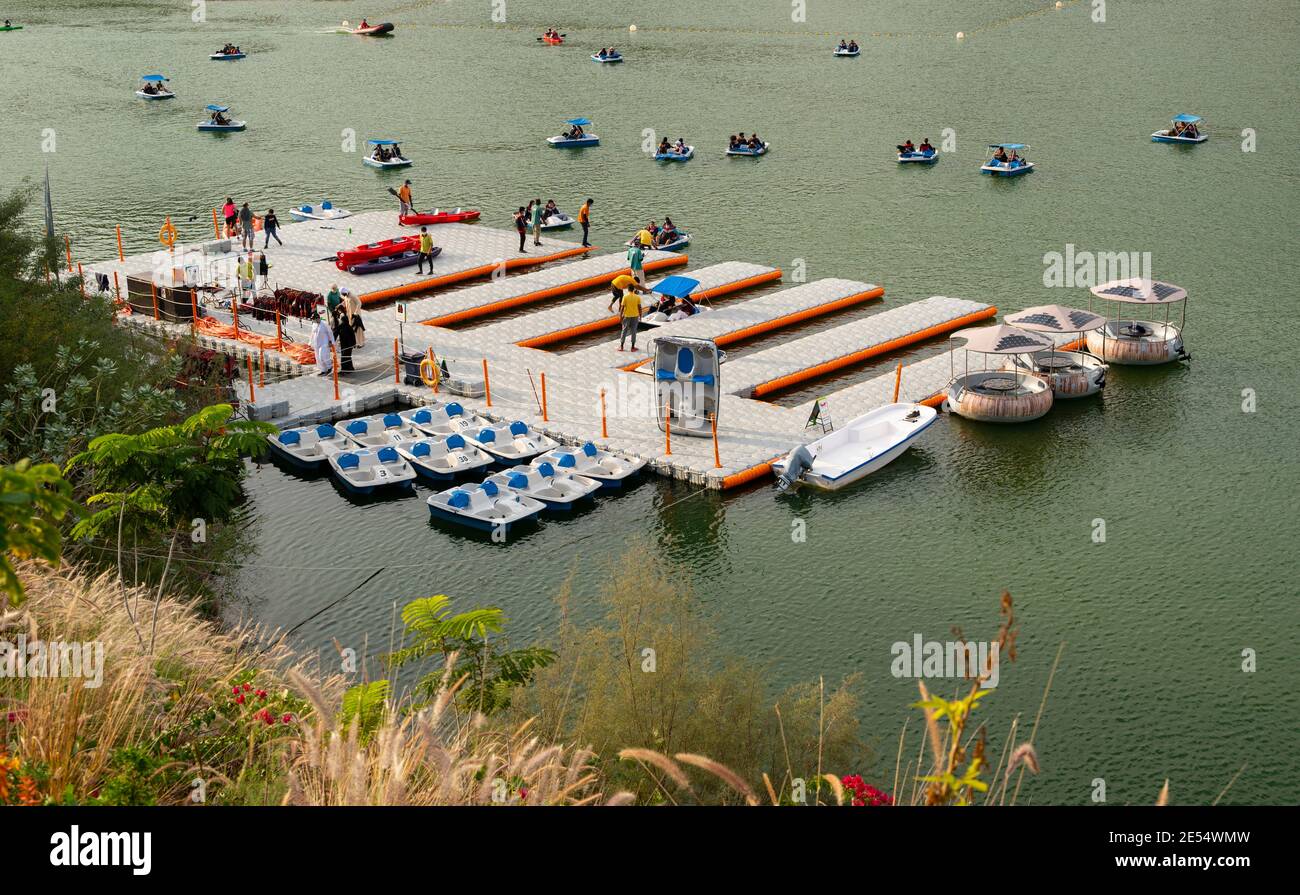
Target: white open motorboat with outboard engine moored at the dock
{"x": 868, "y": 444}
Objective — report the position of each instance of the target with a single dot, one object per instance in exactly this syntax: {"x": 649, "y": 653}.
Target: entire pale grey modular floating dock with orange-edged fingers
{"x": 595, "y": 394}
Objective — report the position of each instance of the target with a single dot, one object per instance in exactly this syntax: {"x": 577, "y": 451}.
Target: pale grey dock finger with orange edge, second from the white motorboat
{"x": 818, "y": 354}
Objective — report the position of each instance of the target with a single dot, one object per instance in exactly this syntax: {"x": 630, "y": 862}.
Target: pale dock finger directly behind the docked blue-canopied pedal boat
{"x": 574, "y": 319}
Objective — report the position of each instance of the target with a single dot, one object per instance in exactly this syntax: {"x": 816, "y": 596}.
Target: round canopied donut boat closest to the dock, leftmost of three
{"x": 999, "y": 396}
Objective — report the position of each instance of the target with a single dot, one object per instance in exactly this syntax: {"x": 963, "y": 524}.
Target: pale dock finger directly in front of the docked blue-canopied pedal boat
{"x": 746, "y": 319}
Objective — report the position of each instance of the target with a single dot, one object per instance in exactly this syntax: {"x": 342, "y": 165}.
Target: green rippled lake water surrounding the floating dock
{"x": 1199, "y": 499}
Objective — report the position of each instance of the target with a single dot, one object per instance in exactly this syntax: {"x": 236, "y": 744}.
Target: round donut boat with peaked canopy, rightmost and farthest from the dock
{"x": 1142, "y": 343}
